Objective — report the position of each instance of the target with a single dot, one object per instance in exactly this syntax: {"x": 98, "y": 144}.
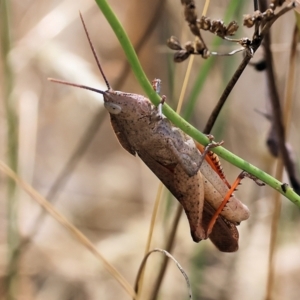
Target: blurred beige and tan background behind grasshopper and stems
{"x": 68, "y": 152}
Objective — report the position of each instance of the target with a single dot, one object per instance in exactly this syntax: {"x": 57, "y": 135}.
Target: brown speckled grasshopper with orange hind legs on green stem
{"x": 196, "y": 180}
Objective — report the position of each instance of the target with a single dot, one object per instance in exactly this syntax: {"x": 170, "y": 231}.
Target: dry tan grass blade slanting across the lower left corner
{"x": 72, "y": 229}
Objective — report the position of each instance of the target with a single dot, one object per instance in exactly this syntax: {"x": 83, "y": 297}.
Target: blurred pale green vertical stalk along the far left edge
{"x": 12, "y": 154}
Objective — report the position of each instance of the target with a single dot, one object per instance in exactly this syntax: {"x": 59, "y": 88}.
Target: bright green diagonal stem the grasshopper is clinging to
{"x": 180, "y": 122}
